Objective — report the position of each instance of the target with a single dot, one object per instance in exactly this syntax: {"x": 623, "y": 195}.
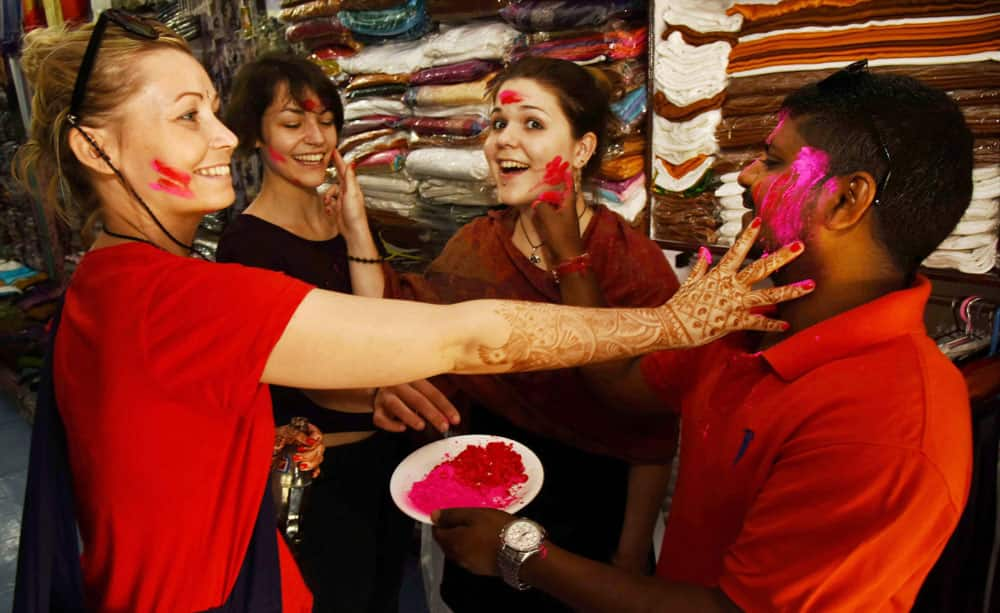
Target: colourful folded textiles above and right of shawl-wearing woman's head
{"x": 610, "y": 36}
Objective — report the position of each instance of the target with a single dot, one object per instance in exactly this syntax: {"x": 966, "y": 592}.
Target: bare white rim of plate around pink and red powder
{"x": 416, "y": 466}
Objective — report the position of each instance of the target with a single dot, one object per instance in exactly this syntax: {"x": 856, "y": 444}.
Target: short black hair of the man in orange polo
{"x": 859, "y": 118}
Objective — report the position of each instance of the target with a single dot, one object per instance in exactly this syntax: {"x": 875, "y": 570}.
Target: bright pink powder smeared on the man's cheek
{"x": 784, "y": 205}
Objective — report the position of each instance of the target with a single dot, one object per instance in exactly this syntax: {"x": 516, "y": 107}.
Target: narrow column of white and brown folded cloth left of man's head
{"x": 693, "y": 42}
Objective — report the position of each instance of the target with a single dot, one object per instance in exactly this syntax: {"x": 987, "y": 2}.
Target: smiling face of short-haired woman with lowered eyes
{"x": 297, "y": 139}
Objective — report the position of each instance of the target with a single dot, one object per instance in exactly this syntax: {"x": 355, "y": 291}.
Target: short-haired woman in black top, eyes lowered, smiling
{"x": 286, "y": 111}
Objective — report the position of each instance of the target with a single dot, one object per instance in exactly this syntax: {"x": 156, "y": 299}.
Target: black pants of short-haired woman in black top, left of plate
{"x": 354, "y": 538}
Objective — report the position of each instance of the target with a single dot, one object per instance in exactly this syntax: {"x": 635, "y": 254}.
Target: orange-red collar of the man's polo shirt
{"x": 895, "y": 314}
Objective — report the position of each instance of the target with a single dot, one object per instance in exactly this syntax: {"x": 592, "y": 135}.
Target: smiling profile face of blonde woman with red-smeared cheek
{"x": 169, "y": 142}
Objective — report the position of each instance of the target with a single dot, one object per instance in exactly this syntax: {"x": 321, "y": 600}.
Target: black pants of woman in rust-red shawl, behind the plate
{"x": 581, "y": 506}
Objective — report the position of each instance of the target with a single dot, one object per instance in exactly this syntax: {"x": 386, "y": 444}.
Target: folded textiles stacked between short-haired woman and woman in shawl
{"x": 422, "y": 99}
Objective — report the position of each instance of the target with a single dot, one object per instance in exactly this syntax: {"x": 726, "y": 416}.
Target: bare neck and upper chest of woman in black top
{"x": 295, "y": 208}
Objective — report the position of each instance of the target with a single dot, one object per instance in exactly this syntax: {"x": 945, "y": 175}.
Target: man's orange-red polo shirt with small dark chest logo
{"x": 824, "y": 474}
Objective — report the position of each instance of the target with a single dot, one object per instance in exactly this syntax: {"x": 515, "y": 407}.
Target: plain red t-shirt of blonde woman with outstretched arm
{"x": 157, "y": 376}
